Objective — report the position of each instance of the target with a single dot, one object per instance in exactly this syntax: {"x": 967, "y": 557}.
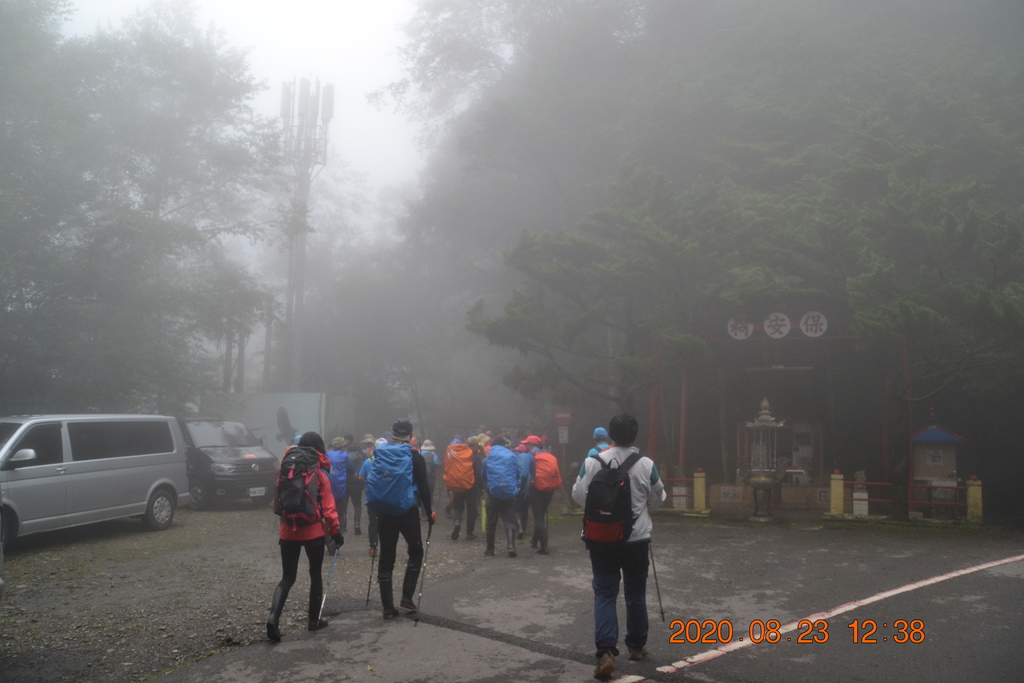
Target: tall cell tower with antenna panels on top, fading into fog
{"x": 306, "y": 113}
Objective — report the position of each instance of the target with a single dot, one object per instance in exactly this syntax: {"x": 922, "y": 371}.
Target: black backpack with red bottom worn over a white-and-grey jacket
{"x": 608, "y": 517}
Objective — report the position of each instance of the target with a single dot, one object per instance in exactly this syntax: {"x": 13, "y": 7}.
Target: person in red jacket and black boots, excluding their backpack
{"x": 311, "y": 537}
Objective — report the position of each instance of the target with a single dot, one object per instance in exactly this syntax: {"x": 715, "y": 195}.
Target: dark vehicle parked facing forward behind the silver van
{"x": 227, "y": 462}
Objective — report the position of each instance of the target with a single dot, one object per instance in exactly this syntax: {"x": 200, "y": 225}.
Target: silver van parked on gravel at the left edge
{"x": 67, "y": 471}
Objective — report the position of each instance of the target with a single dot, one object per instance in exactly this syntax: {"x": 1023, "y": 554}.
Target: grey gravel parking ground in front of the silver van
{"x": 114, "y": 603}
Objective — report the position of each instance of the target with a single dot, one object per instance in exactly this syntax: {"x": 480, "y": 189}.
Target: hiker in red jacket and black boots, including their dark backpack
{"x": 303, "y": 527}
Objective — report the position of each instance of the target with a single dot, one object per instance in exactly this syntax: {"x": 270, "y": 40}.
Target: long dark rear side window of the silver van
{"x": 97, "y": 441}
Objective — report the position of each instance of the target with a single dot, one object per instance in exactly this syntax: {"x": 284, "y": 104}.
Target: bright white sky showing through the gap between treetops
{"x": 351, "y": 45}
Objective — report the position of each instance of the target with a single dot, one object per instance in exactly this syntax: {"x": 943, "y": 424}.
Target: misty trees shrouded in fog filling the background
{"x": 608, "y": 184}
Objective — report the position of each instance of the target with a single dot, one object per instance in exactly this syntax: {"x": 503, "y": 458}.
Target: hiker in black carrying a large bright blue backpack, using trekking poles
{"x": 397, "y": 475}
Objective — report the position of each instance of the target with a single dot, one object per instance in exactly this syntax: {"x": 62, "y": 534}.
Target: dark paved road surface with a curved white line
{"x": 531, "y": 619}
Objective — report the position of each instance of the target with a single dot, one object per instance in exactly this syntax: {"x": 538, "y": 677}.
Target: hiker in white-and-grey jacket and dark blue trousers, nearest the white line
{"x": 622, "y": 547}
